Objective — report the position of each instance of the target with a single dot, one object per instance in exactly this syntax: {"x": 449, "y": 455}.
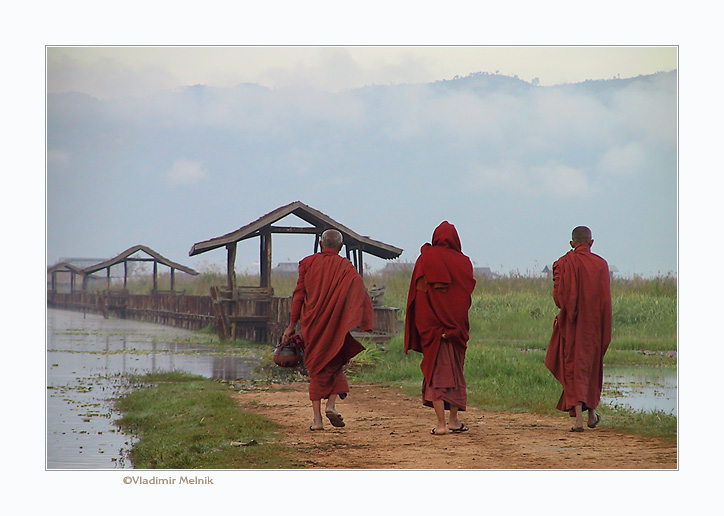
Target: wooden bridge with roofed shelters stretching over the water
{"x": 250, "y": 313}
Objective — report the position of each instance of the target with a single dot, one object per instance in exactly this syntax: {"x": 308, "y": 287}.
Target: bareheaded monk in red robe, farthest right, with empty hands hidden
{"x": 582, "y": 328}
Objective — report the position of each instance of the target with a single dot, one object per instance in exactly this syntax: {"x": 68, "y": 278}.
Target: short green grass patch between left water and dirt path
{"x": 188, "y": 422}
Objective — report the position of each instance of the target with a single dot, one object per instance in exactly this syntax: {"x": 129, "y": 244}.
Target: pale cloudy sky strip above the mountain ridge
{"x": 107, "y": 72}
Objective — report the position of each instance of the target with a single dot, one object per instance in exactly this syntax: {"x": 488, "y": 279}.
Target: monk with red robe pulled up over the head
{"x": 436, "y": 324}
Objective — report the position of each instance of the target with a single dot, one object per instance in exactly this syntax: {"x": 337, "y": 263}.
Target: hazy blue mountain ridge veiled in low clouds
{"x": 501, "y": 158}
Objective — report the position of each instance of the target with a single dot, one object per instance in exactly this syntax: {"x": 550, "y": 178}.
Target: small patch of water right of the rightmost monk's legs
{"x": 641, "y": 388}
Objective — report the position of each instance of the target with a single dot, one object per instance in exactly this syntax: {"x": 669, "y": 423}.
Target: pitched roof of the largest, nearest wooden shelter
{"x": 316, "y": 218}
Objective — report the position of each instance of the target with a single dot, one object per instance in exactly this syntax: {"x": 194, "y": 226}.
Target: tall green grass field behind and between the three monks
{"x": 510, "y": 325}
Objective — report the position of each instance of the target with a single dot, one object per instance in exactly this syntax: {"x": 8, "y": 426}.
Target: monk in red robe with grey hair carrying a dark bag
{"x": 330, "y": 299}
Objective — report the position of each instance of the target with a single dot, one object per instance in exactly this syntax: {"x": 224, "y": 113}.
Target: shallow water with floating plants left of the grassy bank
{"x": 86, "y": 356}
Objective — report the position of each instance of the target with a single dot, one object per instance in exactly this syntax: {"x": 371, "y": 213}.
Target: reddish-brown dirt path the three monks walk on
{"x": 390, "y": 430}
